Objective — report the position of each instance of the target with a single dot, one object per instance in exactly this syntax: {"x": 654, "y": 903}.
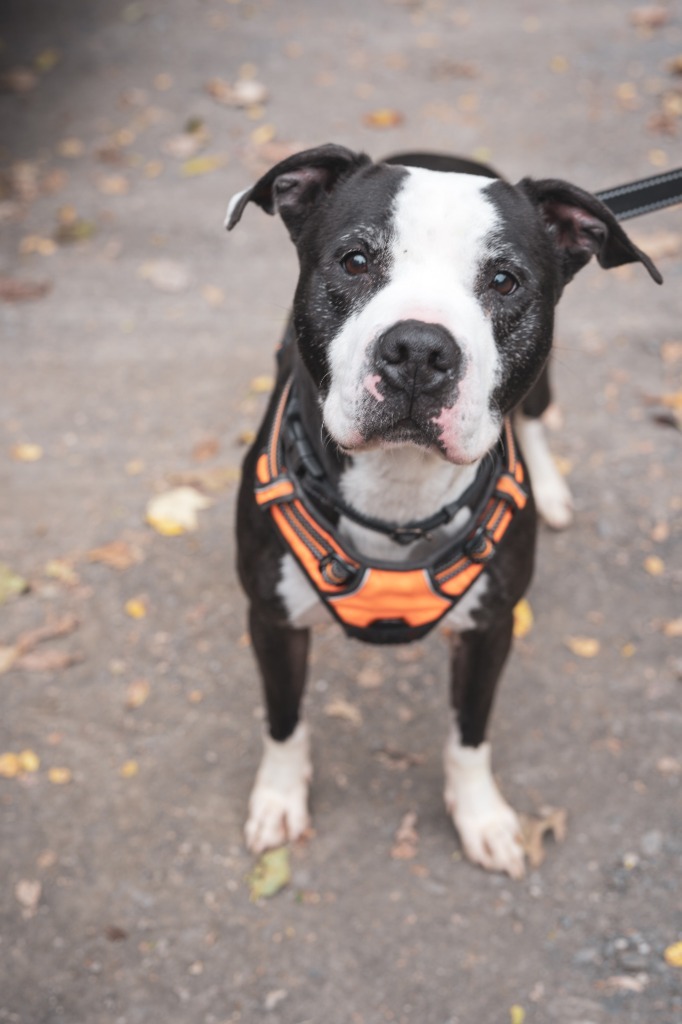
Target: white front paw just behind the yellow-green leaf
{"x": 279, "y": 804}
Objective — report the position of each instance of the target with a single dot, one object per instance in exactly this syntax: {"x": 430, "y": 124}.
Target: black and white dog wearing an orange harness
{"x": 422, "y": 320}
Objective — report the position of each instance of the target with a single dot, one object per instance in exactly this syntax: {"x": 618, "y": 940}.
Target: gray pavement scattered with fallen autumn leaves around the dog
{"x": 124, "y": 895}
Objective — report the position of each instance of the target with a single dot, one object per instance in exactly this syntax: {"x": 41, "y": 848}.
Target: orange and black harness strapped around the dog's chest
{"x": 378, "y": 602}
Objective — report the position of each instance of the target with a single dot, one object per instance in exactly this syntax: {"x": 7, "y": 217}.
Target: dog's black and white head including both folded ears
{"x": 425, "y": 304}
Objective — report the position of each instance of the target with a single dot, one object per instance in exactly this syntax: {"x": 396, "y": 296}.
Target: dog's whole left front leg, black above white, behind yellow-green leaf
{"x": 279, "y": 804}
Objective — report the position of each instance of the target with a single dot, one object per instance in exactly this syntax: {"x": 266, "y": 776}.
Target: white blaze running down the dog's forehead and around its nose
{"x": 440, "y": 231}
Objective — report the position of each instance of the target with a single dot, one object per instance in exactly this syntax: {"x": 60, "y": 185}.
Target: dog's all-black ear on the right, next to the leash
{"x": 581, "y": 227}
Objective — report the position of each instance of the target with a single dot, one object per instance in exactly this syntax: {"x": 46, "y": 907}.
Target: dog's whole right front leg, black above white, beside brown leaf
{"x": 488, "y": 827}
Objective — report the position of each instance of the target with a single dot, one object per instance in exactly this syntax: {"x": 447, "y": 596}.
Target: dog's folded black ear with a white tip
{"x": 295, "y": 186}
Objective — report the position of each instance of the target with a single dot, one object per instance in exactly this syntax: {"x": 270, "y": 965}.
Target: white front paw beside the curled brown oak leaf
{"x": 488, "y": 827}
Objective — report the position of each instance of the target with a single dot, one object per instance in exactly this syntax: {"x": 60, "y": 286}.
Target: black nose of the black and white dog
{"x": 419, "y": 358}
